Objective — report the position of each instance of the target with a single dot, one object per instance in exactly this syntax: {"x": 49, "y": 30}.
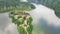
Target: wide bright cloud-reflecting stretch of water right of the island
{"x": 45, "y": 20}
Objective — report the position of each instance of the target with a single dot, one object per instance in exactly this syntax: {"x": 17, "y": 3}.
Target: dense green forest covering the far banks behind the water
{"x": 53, "y": 4}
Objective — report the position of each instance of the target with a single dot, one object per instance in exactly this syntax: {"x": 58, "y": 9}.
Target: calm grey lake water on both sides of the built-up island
{"x": 44, "y": 21}
